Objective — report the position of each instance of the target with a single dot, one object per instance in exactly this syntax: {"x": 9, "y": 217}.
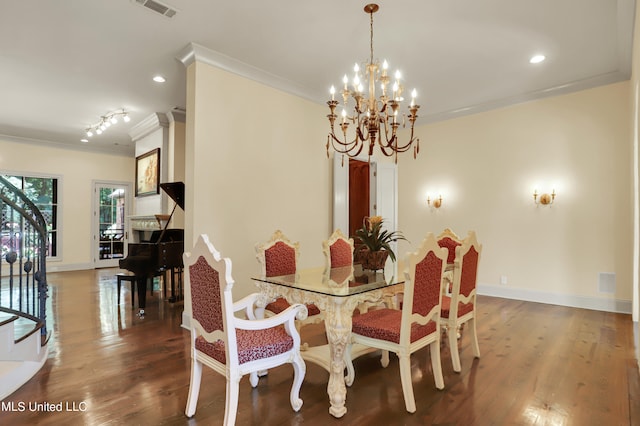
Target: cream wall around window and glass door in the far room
{"x": 77, "y": 171}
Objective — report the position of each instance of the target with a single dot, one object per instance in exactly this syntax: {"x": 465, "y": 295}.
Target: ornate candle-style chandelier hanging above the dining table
{"x": 375, "y": 119}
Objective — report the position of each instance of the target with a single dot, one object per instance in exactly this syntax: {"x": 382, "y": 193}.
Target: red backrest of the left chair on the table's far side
{"x": 278, "y": 256}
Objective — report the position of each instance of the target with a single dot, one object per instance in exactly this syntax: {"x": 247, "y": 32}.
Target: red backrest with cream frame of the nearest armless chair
{"x": 423, "y": 284}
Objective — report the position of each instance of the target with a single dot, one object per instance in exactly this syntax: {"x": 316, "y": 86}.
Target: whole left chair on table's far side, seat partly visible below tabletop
{"x": 279, "y": 256}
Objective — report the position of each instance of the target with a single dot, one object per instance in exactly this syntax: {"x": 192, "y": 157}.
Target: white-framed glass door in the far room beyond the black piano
{"x": 110, "y": 210}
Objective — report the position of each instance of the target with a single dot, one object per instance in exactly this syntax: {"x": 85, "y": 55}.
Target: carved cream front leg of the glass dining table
{"x": 338, "y": 328}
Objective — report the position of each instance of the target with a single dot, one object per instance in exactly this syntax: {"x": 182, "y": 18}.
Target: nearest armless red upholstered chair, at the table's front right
{"x": 415, "y": 326}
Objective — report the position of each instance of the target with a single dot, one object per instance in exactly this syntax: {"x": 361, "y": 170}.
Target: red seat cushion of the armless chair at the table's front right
{"x": 384, "y": 324}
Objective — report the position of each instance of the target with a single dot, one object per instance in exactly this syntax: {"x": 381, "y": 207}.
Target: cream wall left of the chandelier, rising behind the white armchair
{"x": 256, "y": 162}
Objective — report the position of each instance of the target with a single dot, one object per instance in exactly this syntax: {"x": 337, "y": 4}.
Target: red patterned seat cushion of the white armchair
{"x": 252, "y": 345}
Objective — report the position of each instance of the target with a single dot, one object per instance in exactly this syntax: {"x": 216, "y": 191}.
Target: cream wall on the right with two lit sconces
{"x": 486, "y": 167}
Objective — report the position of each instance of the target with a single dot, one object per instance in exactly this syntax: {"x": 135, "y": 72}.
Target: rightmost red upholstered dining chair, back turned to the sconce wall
{"x": 460, "y": 307}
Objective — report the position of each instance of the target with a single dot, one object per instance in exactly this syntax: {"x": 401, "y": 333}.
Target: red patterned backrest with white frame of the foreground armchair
{"x": 208, "y": 277}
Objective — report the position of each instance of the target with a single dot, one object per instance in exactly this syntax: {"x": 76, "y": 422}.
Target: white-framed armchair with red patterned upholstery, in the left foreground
{"x": 230, "y": 345}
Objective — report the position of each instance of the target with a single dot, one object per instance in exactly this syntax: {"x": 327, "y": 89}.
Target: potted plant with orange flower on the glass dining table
{"x": 375, "y": 243}
